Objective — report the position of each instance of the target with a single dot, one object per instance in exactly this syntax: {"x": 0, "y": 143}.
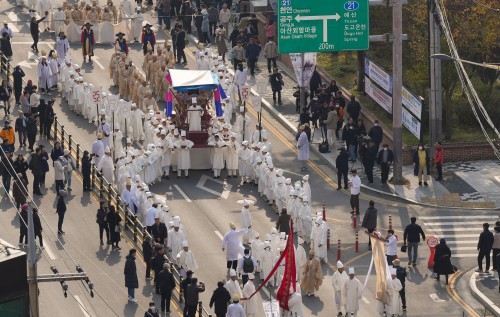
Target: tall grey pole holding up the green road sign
{"x": 397, "y": 87}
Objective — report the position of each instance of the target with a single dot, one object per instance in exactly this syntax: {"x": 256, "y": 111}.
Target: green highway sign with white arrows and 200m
{"x": 322, "y": 25}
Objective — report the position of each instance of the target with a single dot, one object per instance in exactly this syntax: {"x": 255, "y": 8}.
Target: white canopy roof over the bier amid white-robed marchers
{"x": 183, "y": 80}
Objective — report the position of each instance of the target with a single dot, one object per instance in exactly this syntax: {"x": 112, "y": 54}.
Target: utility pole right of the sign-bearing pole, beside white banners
{"x": 435, "y": 100}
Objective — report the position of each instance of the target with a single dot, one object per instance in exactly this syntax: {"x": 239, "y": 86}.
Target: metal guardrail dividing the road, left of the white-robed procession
{"x": 104, "y": 191}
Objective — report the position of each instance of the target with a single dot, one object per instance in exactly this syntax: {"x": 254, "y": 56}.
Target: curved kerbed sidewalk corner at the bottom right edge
{"x": 485, "y": 289}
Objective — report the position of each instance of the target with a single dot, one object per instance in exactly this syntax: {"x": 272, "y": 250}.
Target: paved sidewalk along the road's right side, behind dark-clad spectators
{"x": 466, "y": 184}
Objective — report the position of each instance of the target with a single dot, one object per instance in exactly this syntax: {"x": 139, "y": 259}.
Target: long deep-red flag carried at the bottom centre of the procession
{"x": 290, "y": 274}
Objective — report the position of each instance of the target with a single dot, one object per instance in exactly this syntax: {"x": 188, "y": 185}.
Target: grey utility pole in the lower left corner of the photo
{"x": 32, "y": 266}
